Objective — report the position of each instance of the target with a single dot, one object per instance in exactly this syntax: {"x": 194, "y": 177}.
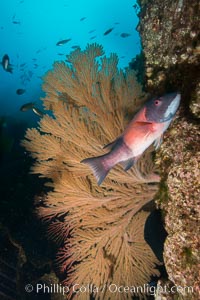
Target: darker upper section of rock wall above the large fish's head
{"x": 170, "y": 38}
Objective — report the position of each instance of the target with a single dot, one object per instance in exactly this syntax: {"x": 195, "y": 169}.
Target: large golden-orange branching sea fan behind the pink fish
{"x": 101, "y": 228}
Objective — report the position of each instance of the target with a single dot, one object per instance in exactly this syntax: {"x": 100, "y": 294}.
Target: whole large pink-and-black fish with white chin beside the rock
{"x": 146, "y": 128}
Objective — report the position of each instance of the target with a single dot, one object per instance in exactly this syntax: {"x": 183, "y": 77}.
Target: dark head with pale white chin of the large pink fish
{"x": 162, "y": 109}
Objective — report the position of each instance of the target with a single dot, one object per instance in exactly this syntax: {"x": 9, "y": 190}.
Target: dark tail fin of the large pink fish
{"x": 99, "y": 167}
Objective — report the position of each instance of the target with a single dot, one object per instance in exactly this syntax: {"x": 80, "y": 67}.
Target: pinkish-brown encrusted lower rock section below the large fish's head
{"x": 179, "y": 159}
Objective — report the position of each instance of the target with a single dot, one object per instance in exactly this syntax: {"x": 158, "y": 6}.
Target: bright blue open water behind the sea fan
{"x": 30, "y": 29}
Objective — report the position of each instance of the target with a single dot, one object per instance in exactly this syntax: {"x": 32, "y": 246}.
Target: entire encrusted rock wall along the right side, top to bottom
{"x": 170, "y": 37}
